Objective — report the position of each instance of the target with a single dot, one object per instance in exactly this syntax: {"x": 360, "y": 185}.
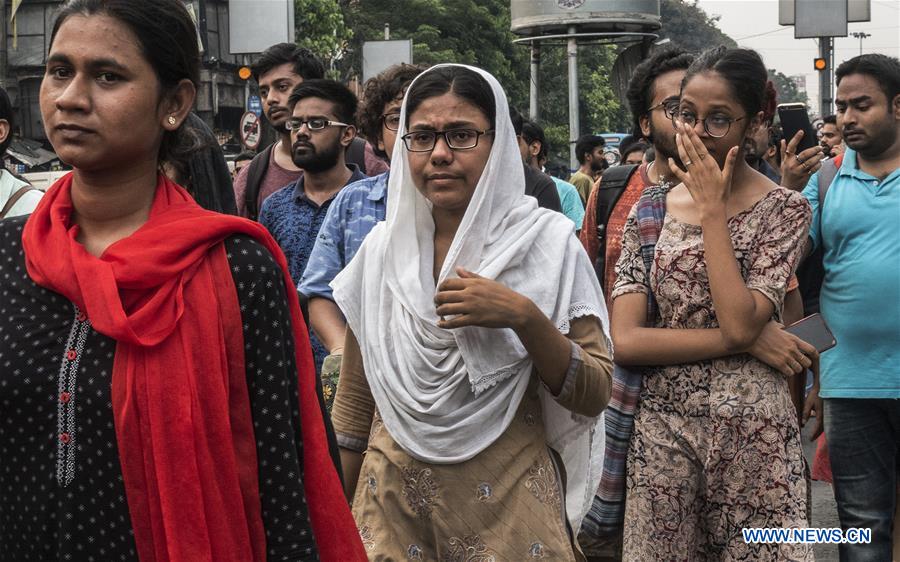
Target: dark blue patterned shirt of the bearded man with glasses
{"x": 294, "y": 221}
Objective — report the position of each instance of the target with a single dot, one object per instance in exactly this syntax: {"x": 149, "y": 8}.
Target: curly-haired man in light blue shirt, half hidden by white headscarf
{"x": 351, "y": 216}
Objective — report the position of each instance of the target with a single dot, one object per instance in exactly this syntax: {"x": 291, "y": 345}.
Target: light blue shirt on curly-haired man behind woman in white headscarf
{"x": 353, "y": 214}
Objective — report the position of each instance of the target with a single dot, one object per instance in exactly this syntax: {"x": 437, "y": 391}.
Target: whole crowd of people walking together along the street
{"x": 394, "y": 337}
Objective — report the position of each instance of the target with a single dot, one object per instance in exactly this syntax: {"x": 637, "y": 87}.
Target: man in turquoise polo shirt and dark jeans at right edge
{"x": 860, "y": 300}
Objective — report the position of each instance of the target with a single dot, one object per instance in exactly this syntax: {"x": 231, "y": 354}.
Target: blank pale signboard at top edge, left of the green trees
{"x": 255, "y": 25}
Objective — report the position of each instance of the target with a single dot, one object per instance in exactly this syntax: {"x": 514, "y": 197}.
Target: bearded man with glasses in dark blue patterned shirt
{"x": 322, "y": 125}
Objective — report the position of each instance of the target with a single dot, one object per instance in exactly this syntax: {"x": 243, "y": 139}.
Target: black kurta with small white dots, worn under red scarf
{"x": 61, "y": 490}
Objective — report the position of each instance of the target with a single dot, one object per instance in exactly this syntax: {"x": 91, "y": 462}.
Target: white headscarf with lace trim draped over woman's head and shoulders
{"x": 446, "y": 395}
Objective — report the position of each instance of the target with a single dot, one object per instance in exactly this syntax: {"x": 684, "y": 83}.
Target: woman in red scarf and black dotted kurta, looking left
{"x": 157, "y": 394}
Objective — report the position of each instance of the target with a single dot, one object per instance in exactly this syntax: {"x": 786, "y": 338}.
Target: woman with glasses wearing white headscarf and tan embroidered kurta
{"x": 477, "y": 362}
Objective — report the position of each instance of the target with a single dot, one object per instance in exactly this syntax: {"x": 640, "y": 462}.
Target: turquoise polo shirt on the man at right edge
{"x": 859, "y": 230}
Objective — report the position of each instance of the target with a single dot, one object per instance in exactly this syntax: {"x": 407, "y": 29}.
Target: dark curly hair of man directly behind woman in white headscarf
{"x": 380, "y": 91}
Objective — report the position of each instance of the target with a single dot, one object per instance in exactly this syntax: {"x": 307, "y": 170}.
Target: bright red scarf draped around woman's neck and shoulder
{"x": 179, "y": 392}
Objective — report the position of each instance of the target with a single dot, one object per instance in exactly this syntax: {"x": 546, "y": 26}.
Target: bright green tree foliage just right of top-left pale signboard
{"x": 319, "y": 26}
